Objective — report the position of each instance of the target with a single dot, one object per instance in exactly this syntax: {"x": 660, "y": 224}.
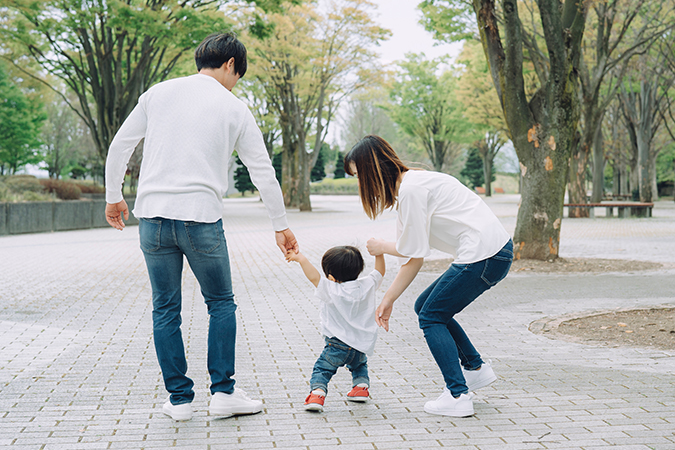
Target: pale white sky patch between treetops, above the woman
{"x": 402, "y": 17}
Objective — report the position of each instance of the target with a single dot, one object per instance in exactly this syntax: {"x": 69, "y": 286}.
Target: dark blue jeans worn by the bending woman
{"x": 448, "y": 295}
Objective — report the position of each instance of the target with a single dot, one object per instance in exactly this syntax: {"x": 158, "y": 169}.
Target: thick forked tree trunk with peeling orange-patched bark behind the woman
{"x": 543, "y": 126}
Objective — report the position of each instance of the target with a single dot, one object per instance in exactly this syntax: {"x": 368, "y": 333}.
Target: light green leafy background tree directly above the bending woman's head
{"x": 424, "y": 107}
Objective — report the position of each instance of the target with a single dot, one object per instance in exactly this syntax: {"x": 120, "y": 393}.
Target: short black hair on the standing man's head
{"x": 219, "y": 48}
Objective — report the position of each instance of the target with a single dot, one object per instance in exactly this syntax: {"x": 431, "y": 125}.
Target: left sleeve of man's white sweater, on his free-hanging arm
{"x": 122, "y": 147}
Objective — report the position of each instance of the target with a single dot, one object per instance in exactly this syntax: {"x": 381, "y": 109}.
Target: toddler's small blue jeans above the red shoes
{"x": 335, "y": 355}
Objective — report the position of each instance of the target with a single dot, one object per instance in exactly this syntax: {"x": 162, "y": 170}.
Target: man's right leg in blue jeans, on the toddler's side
{"x": 206, "y": 250}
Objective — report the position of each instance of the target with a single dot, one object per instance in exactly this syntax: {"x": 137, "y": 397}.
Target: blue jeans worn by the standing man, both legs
{"x": 164, "y": 242}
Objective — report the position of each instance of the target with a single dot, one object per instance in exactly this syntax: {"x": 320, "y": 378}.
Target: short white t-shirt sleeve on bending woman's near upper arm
{"x": 413, "y": 223}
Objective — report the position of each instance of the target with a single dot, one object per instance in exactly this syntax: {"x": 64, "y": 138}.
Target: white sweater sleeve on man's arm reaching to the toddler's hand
{"x": 251, "y": 149}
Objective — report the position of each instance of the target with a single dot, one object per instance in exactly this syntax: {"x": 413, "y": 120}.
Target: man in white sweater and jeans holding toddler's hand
{"x": 191, "y": 126}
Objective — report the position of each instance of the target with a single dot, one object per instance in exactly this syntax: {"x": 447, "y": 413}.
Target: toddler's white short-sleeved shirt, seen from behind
{"x": 348, "y": 310}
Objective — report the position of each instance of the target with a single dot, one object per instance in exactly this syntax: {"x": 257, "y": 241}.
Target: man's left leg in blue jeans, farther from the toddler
{"x": 164, "y": 261}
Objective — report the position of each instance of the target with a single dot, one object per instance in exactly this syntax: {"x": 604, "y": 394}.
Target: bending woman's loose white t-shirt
{"x": 436, "y": 211}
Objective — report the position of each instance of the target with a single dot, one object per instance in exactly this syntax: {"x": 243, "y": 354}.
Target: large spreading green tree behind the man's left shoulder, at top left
{"x": 107, "y": 53}
